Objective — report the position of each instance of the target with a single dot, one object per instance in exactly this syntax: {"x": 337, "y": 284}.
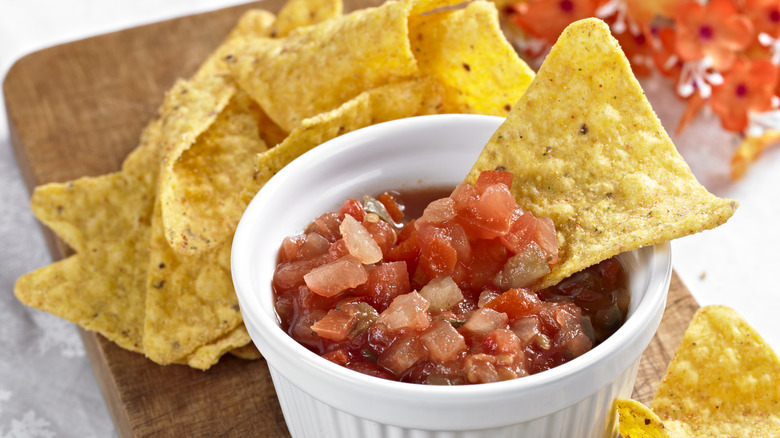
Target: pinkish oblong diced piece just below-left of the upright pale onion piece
{"x": 337, "y": 276}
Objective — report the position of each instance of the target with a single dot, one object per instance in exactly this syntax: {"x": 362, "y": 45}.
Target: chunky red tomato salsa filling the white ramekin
{"x": 446, "y": 296}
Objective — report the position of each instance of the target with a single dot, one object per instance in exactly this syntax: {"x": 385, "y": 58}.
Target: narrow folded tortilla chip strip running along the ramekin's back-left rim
{"x": 404, "y": 99}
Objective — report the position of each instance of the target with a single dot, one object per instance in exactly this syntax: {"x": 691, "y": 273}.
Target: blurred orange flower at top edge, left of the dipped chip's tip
{"x": 546, "y": 19}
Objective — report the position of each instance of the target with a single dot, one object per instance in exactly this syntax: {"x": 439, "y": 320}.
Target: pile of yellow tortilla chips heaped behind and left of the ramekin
{"x": 151, "y": 268}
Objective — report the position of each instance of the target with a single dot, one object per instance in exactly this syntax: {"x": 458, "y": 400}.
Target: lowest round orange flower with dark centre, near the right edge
{"x": 748, "y": 86}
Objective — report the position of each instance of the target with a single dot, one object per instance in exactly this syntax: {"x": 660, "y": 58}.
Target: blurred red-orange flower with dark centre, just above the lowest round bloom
{"x": 715, "y": 29}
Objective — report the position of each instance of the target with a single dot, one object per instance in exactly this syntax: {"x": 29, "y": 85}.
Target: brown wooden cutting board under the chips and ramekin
{"x": 77, "y": 109}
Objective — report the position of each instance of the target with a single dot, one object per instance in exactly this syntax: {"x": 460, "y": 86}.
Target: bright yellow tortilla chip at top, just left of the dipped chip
{"x": 467, "y": 52}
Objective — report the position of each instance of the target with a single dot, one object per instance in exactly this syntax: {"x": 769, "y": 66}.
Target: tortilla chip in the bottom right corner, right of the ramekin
{"x": 724, "y": 380}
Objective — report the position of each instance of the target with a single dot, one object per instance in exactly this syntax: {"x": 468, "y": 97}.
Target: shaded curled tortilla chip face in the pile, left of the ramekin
{"x": 199, "y": 192}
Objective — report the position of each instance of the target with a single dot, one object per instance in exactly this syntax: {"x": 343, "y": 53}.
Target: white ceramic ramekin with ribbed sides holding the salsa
{"x": 322, "y": 399}
